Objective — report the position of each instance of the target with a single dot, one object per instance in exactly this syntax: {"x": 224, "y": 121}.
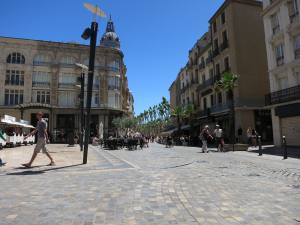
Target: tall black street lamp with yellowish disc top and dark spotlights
{"x": 90, "y": 33}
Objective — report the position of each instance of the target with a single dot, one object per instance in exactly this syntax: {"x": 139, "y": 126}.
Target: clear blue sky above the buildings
{"x": 155, "y": 34}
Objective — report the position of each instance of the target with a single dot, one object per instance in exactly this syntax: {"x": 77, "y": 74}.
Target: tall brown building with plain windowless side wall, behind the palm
{"x": 235, "y": 43}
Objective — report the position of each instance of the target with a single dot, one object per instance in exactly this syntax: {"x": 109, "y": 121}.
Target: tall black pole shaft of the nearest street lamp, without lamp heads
{"x": 93, "y": 40}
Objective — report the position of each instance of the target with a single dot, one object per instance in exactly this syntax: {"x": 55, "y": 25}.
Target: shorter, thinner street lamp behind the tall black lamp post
{"x": 81, "y": 86}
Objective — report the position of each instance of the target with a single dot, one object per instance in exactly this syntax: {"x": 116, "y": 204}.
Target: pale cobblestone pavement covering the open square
{"x": 152, "y": 186}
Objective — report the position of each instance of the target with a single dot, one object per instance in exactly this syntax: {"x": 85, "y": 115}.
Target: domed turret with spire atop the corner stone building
{"x": 110, "y": 38}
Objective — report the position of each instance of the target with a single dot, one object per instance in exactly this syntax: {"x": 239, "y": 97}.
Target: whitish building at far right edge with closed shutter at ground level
{"x": 282, "y": 36}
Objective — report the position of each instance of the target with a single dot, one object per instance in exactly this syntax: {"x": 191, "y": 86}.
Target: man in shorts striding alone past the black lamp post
{"x": 42, "y": 140}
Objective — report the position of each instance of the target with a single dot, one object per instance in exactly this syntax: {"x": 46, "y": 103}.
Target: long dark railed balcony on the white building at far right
{"x": 285, "y": 95}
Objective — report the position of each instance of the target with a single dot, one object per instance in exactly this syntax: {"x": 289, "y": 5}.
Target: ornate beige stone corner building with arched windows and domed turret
{"x": 42, "y": 76}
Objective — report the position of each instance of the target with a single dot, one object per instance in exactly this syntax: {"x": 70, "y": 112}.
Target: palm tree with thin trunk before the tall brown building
{"x": 227, "y": 84}
